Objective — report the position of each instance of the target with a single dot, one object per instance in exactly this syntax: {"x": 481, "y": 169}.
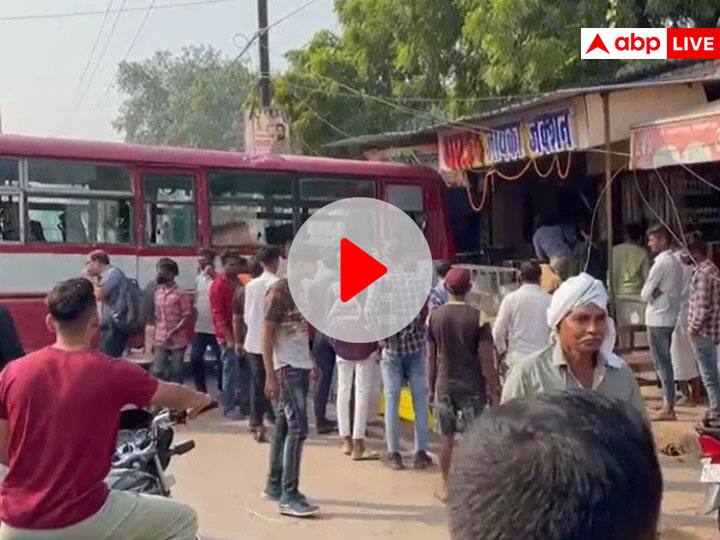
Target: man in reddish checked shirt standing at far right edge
{"x": 704, "y": 319}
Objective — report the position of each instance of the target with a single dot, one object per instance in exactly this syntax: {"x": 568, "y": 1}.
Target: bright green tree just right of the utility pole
{"x": 395, "y": 52}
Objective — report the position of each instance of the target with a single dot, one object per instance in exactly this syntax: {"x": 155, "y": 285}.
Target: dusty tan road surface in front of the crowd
{"x": 224, "y": 476}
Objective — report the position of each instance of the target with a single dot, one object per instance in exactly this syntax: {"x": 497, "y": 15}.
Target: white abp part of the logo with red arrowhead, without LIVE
{"x": 623, "y": 43}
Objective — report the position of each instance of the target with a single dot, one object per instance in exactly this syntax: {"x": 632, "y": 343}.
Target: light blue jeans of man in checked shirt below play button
{"x": 397, "y": 368}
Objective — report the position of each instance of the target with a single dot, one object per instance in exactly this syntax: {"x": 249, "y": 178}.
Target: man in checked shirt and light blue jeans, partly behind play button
{"x": 403, "y": 358}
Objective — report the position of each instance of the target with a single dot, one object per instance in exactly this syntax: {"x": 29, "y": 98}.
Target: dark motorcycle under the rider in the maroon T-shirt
{"x": 144, "y": 450}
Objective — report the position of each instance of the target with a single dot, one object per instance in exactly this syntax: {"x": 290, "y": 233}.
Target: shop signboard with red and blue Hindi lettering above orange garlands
{"x": 546, "y": 133}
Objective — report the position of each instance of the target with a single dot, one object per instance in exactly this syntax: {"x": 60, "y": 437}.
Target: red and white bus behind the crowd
{"x": 61, "y": 198}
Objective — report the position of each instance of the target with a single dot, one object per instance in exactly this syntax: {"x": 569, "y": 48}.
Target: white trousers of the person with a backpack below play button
{"x": 364, "y": 374}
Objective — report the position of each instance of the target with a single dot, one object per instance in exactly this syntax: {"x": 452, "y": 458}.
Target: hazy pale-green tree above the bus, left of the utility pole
{"x": 195, "y": 99}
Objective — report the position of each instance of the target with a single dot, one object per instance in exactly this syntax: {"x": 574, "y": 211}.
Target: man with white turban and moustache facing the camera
{"x": 582, "y": 354}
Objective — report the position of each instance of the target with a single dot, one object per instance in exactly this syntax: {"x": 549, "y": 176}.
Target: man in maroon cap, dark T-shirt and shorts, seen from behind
{"x": 461, "y": 366}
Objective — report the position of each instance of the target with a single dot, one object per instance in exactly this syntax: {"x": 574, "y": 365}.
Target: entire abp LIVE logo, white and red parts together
{"x": 650, "y": 43}
